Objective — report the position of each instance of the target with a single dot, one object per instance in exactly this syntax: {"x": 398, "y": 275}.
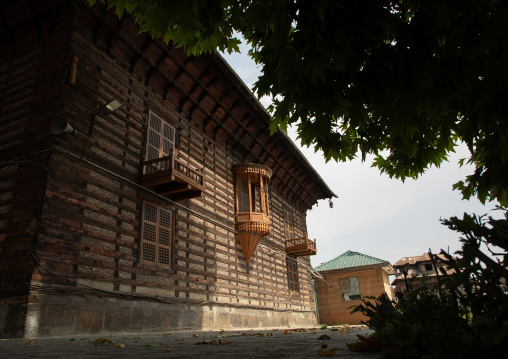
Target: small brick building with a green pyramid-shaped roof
{"x": 348, "y": 278}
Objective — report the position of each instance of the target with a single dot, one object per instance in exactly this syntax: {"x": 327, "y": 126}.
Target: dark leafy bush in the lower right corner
{"x": 464, "y": 315}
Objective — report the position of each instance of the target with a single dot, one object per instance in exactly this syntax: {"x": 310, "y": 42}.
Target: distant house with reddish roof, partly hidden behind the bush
{"x": 416, "y": 269}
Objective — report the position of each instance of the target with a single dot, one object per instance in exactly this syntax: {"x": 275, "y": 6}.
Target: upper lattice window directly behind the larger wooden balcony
{"x": 160, "y": 137}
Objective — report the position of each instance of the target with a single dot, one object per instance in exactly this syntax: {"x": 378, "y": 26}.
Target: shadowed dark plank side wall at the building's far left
{"x": 33, "y": 56}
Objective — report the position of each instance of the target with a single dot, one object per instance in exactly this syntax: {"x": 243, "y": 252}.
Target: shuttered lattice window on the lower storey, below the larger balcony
{"x": 156, "y": 235}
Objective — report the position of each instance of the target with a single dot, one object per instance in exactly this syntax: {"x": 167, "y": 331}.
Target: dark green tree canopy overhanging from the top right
{"x": 402, "y": 80}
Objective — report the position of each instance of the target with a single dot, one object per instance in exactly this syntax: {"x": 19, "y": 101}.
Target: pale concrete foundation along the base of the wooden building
{"x": 54, "y": 315}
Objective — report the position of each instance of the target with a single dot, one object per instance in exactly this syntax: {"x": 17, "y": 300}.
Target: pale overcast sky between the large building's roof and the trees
{"x": 376, "y": 215}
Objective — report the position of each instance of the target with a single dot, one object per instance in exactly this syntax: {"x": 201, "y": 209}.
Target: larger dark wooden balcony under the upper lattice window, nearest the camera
{"x": 171, "y": 178}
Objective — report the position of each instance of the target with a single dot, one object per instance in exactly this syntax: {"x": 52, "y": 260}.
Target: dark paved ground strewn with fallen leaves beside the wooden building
{"x": 281, "y": 343}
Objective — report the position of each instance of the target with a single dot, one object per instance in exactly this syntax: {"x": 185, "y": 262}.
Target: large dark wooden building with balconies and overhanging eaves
{"x": 140, "y": 189}
